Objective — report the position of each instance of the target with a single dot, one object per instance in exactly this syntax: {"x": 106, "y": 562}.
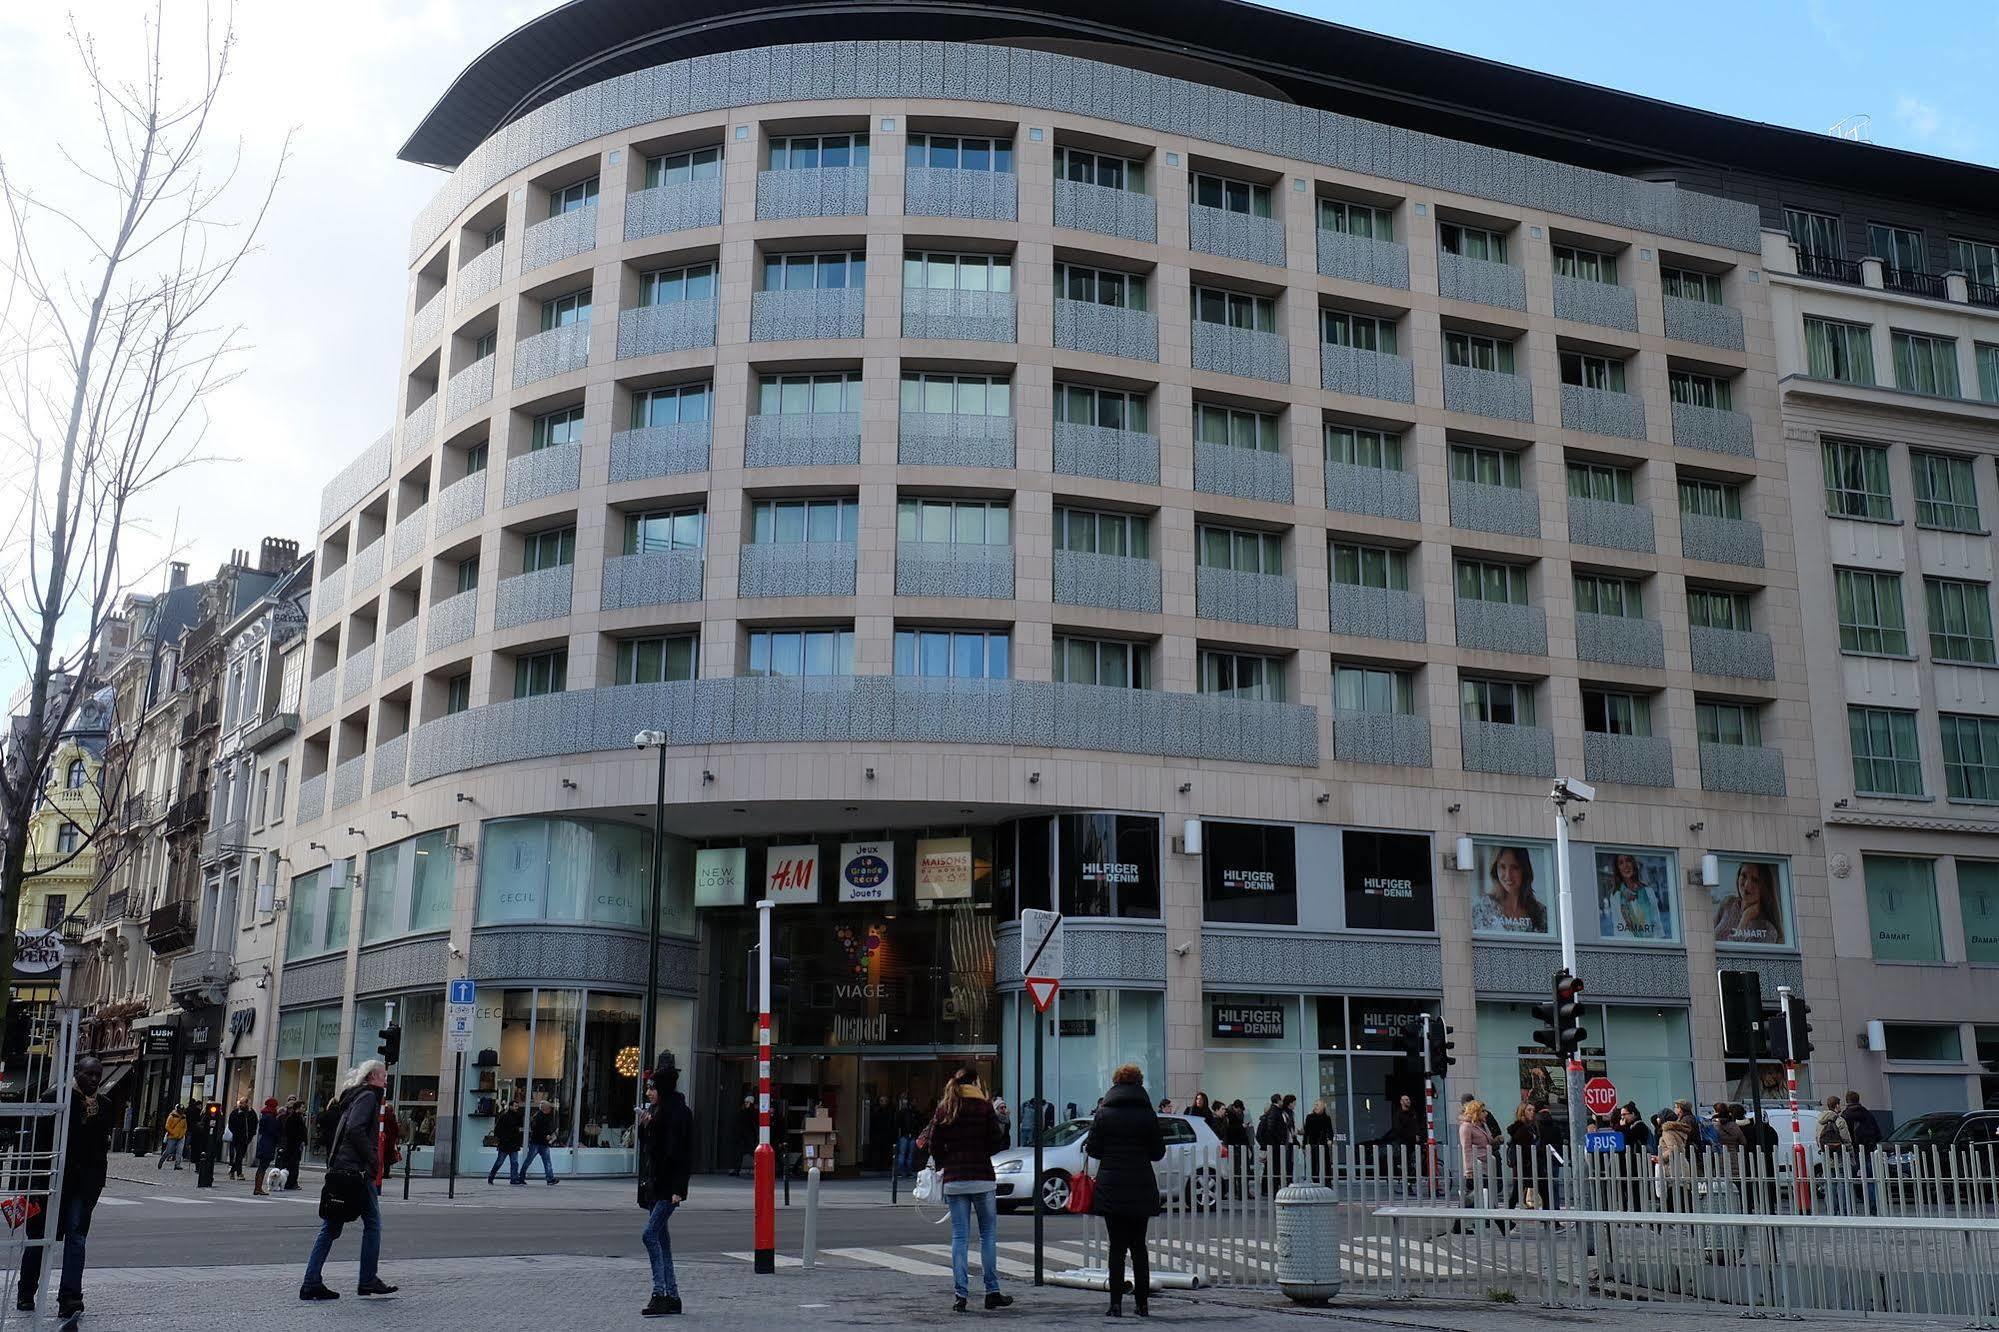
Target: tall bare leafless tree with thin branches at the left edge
{"x": 111, "y": 345}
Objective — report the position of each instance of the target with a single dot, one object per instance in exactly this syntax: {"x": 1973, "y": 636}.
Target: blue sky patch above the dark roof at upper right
{"x": 1798, "y": 63}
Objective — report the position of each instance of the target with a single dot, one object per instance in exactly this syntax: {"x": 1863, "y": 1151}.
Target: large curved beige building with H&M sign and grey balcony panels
{"x": 1190, "y": 467}
